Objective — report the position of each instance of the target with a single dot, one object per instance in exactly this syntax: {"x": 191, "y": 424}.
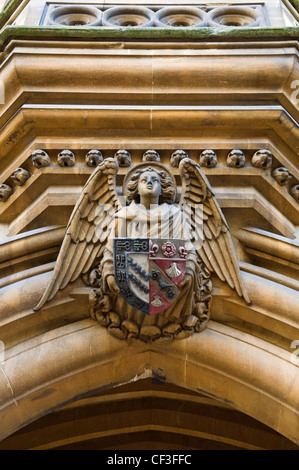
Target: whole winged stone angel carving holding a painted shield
{"x": 147, "y": 258}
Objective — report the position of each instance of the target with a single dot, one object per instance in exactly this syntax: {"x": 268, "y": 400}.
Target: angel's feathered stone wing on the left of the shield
{"x": 87, "y": 231}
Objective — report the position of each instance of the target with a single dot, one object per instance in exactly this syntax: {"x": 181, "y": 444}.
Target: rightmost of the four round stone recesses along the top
{"x": 233, "y": 17}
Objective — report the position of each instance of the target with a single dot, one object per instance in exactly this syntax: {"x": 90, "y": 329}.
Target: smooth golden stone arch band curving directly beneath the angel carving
{"x": 60, "y": 366}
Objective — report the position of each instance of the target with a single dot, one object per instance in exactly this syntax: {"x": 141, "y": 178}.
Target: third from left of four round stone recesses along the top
{"x": 180, "y": 17}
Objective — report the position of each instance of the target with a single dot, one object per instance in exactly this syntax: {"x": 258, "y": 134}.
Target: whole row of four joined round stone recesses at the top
{"x": 169, "y": 16}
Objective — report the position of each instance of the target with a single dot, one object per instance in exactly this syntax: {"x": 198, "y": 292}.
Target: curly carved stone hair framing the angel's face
{"x": 167, "y": 186}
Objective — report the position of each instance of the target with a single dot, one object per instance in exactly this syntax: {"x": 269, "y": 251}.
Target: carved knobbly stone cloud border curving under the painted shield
{"x": 147, "y": 328}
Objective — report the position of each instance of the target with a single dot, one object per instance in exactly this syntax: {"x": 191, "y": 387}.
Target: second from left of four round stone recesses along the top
{"x": 128, "y": 17}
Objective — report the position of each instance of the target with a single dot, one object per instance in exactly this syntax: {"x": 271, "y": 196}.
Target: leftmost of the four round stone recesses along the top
{"x": 76, "y": 16}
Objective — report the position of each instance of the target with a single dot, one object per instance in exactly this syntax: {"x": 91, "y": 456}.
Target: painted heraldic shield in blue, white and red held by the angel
{"x": 148, "y": 271}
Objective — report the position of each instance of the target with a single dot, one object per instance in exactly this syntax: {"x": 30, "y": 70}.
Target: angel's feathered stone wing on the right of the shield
{"x": 211, "y": 237}
